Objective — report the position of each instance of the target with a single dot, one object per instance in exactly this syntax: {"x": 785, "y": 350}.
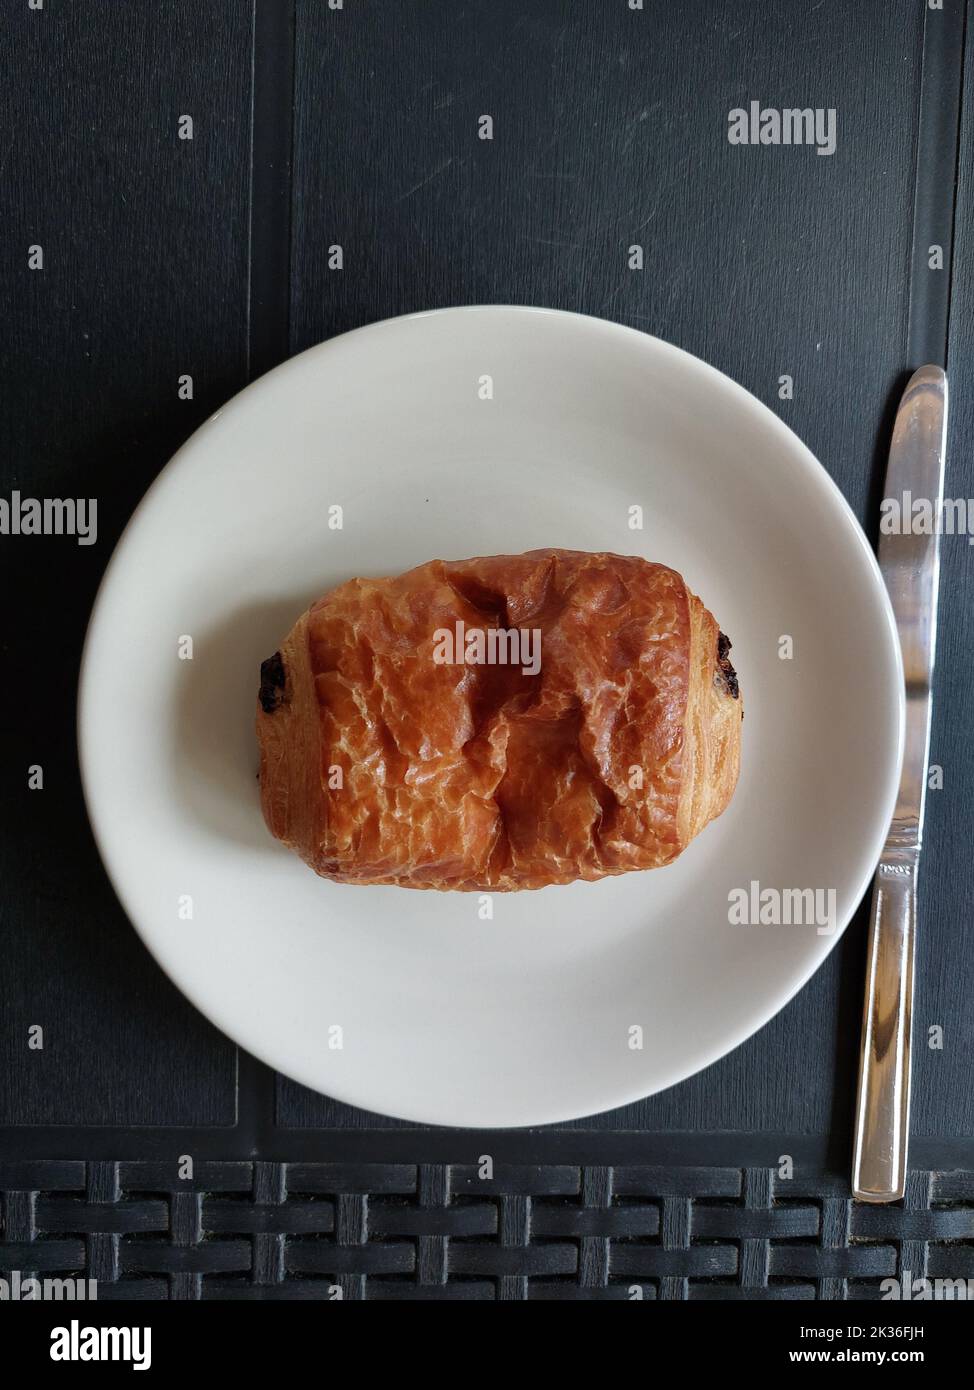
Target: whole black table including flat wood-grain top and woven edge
{"x": 209, "y": 258}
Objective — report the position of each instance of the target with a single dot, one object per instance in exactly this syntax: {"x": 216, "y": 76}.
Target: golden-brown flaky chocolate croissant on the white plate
{"x": 500, "y": 723}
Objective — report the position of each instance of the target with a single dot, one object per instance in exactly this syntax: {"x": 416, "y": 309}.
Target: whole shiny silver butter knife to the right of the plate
{"x": 911, "y": 564}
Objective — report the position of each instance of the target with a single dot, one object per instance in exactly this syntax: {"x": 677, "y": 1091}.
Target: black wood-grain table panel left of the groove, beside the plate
{"x": 145, "y": 277}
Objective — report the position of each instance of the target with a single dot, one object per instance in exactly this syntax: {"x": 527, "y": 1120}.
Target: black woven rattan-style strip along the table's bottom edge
{"x": 324, "y": 1231}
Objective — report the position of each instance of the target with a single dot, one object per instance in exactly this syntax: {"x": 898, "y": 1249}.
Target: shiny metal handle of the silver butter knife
{"x": 883, "y": 1106}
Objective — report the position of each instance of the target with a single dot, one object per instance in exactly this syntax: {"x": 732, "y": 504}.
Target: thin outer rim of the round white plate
{"x": 812, "y": 468}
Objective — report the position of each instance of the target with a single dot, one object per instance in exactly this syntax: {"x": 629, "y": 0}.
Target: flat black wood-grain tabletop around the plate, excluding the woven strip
{"x": 361, "y": 127}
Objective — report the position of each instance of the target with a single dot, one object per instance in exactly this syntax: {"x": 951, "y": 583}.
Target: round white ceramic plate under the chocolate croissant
{"x": 447, "y": 1018}
